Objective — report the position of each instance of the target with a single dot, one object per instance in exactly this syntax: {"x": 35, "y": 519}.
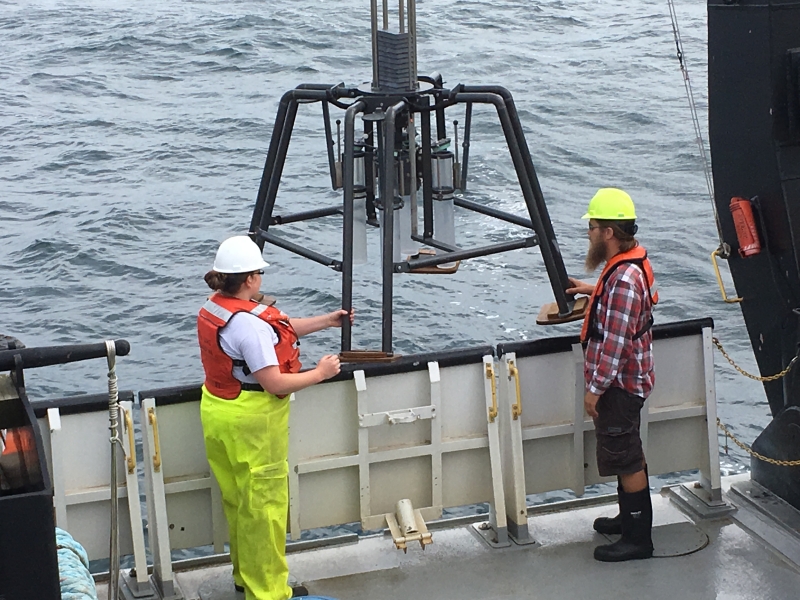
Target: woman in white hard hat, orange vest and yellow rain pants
{"x": 251, "y": 362}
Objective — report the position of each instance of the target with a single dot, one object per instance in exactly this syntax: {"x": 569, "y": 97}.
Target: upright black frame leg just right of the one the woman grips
{"x": 387, "y": 198}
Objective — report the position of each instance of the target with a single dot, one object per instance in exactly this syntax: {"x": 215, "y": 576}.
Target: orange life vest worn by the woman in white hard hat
{"x": 218, "y": 366}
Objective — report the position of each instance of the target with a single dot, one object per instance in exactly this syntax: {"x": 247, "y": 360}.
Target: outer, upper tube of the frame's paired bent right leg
{"x": 556, "y": 270}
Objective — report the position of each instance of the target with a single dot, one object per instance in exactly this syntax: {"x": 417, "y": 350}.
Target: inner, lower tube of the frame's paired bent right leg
{"x": 552, "y": 258}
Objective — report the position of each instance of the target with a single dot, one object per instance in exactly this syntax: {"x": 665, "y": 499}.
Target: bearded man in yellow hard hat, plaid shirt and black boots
{"x": 618, "y": 365}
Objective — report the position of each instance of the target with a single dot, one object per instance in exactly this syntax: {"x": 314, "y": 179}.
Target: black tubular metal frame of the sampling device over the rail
{"x": 384, "y": 115}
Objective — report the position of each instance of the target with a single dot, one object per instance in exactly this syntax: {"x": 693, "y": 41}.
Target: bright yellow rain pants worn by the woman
{"x": 247, "y": 445}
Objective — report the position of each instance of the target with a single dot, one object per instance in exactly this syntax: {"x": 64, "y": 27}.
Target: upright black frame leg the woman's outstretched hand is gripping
{"x": 348, "y": 170}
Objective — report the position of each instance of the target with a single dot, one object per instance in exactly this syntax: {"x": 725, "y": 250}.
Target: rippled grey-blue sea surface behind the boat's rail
{"x": 132, "y": 139}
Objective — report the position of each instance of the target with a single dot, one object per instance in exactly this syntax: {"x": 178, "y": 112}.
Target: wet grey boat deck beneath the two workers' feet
{"x": 735, "y": 564}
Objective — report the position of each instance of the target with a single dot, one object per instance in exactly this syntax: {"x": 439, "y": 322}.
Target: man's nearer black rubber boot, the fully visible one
{"x": 636, "y": 543}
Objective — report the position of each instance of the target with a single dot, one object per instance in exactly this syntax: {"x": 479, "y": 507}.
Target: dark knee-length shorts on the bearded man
{"x": 619, "y": 445}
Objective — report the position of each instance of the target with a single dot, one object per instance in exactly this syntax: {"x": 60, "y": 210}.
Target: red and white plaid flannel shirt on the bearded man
{"x": 623, "y": 309}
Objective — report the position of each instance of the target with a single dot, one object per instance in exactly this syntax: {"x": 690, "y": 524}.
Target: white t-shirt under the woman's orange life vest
{"x": 251, "y": 339}
